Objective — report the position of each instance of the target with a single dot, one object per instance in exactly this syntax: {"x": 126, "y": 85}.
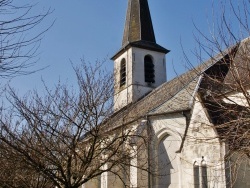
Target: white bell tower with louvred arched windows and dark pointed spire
{"x": 139, "y": 66}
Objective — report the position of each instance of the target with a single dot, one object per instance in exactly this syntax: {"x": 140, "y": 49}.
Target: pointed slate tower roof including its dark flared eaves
{"x": 139, "y": 31}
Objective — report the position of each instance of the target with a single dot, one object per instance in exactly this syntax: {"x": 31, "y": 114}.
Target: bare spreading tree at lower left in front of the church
{"x": 68, "y": 135}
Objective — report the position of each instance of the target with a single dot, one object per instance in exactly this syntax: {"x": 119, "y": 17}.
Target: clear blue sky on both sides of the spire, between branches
{"x": 92, "y": 29}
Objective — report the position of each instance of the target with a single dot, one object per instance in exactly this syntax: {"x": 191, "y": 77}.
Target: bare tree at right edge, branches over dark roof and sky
{"x": 224, "y": 89}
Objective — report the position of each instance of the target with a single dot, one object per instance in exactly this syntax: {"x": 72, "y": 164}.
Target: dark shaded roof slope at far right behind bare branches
{"x": 230, "y": 119}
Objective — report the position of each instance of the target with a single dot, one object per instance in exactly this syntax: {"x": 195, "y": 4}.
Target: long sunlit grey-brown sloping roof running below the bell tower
{"x": 172, "y": 96}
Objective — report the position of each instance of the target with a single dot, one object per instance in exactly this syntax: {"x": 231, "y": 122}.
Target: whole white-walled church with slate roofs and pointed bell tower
{"x": 188, "y": 146}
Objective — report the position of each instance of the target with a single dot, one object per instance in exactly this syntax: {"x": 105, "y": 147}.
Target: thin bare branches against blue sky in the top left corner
{"x": 18, "y": 40}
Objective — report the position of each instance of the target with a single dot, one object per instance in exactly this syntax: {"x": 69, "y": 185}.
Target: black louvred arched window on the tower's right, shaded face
{"x": 149, "y": 69}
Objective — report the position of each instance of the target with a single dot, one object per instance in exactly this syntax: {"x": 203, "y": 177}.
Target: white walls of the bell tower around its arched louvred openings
{"x": 136, "y": 87}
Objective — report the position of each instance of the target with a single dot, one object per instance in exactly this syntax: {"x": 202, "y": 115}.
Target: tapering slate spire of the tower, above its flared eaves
{"x": 138, "y": 24}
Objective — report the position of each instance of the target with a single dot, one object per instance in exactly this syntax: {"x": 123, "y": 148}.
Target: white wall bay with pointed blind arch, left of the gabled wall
{"x": 168, "y": 131}
